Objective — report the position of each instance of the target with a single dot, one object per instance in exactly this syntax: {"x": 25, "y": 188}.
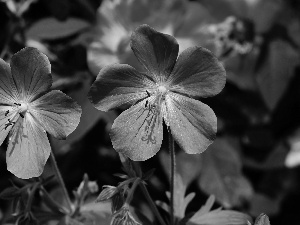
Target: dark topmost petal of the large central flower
{"x": 156, "y": 51}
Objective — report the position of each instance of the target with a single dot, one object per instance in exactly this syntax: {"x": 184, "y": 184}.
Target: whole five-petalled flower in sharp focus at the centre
{"x": 164, "y": 92}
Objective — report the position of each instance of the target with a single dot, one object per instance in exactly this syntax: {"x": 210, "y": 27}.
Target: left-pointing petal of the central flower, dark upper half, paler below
{"x": 116, "y": 85}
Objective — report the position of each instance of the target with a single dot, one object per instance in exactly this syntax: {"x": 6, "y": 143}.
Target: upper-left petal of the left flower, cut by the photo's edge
{"x": 8, "y": 90}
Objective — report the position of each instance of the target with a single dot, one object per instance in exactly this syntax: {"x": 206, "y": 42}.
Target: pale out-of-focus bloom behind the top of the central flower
{"x": 117, "y": 20}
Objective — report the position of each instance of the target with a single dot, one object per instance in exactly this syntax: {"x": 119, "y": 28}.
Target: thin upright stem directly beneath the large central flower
{"x": 172, "y": 178}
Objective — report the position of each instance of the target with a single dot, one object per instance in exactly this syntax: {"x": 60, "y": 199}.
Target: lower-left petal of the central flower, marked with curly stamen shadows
{"x": 138, "y": 131}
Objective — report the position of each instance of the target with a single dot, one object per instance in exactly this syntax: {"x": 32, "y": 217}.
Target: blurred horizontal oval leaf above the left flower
{"x": 51, "y": 28}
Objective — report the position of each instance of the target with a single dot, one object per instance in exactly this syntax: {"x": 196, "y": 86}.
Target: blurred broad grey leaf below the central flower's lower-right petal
{"x": 221, "y": 174}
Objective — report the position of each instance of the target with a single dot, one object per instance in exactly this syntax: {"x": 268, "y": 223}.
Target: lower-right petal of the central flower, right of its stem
{"x": 193, "y": 124}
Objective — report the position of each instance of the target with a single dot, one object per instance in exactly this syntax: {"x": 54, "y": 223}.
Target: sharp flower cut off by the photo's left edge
{"x": 28, "y": 110}
